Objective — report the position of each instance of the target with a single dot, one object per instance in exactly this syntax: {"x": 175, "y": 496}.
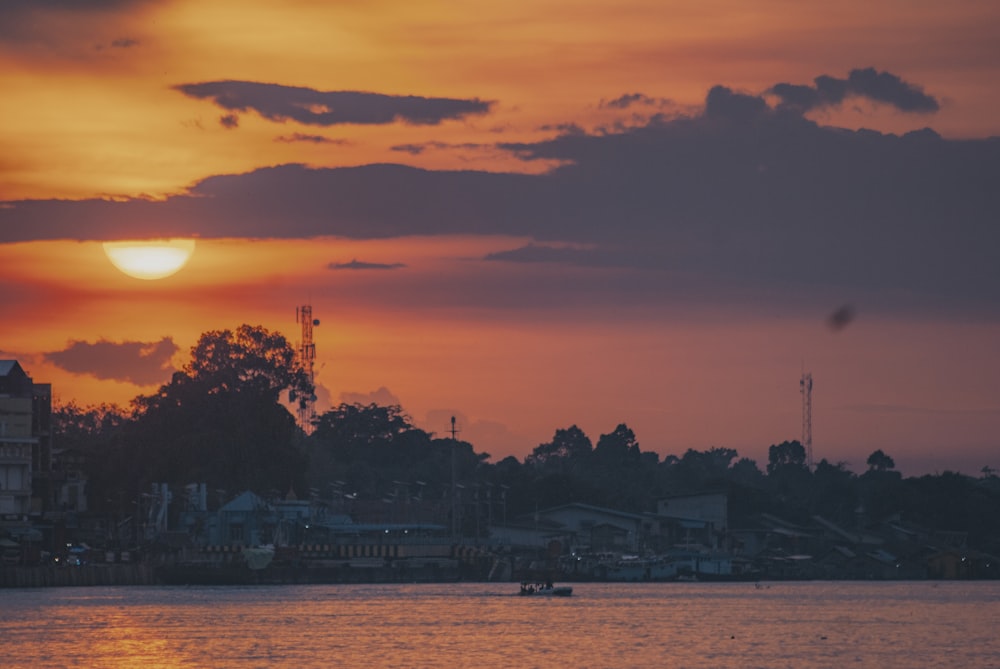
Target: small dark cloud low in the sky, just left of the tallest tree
{"x": 140, "y": 363}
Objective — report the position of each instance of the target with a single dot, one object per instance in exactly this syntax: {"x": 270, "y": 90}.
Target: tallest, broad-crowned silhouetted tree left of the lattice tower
{"x": 219, "y": 420}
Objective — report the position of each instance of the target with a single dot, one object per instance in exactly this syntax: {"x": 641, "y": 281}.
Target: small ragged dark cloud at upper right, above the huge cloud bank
{"x": 882, "y": 87}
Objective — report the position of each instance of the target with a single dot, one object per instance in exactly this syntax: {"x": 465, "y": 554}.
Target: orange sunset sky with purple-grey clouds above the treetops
{"x": 527, "y": 215}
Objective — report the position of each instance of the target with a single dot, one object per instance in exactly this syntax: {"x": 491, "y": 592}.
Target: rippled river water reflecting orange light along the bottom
{"x": 719, "y": 625}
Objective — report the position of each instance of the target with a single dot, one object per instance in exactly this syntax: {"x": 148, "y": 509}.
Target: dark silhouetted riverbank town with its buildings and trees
{"x": 213, "y": 479}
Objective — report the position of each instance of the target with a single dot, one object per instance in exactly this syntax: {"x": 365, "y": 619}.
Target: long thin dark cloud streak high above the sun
{"x": 325, "y": 108}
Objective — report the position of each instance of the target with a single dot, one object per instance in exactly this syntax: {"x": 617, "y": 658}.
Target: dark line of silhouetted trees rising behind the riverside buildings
{"x": 221, "y": 420}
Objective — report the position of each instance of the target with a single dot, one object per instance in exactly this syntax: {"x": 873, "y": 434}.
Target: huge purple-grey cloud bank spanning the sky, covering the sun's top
{"x": 740, "y": 197}
